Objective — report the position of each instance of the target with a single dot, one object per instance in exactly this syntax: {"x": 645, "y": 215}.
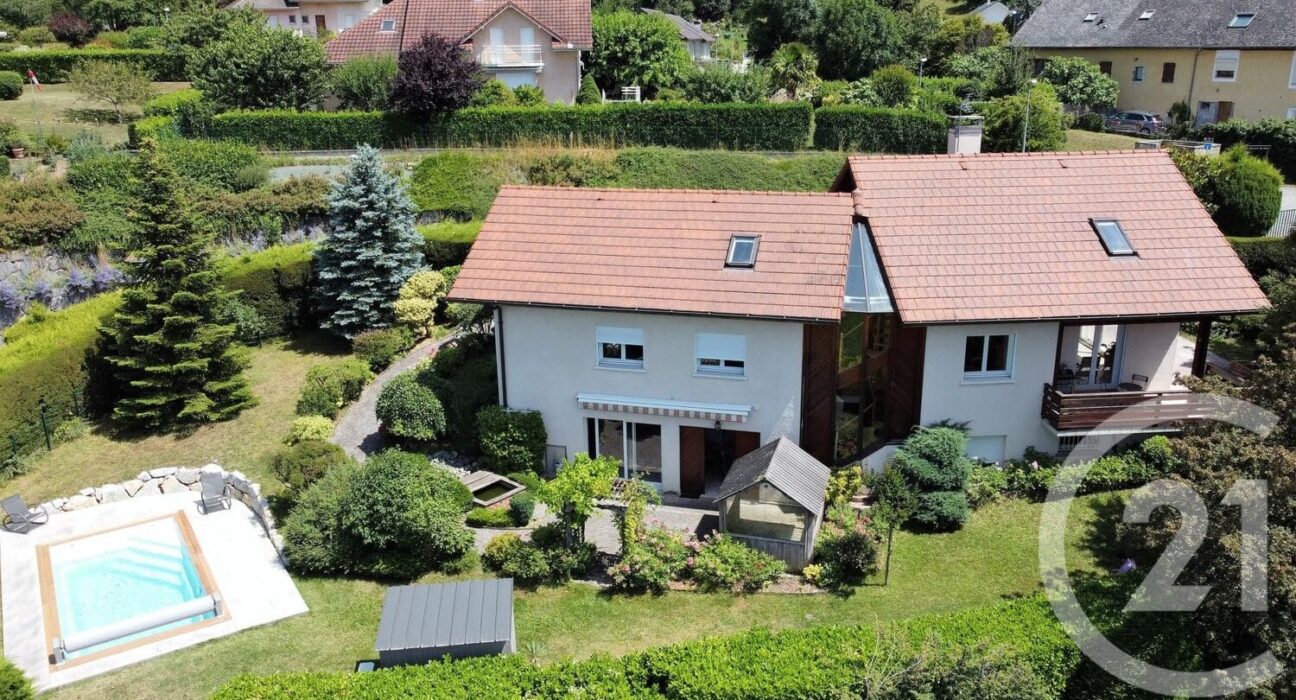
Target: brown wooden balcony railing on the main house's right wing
{"x": 1089, "y": 410}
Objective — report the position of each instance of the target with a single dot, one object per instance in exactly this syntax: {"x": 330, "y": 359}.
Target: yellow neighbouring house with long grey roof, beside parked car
{"x": 1224, "y": 59}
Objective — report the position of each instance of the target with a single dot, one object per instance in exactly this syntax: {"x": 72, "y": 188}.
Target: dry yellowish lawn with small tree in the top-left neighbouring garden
{"x": 58, "y": 110}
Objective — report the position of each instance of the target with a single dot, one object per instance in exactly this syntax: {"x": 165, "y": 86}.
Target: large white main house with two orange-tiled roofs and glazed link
{"x": 1024, "y": 295}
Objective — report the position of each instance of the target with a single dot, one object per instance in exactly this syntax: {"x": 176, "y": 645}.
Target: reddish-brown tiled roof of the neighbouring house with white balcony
{"x": 567, "y": 21}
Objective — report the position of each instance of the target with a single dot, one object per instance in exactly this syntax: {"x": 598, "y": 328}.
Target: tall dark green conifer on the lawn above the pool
{"x": 172, "y": 362}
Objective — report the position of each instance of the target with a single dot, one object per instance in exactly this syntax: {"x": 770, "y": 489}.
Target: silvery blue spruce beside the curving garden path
{"x": 371, "y": 250}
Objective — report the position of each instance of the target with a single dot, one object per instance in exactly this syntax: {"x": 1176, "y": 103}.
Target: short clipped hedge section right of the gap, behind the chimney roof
{"x": 879, "y": 130}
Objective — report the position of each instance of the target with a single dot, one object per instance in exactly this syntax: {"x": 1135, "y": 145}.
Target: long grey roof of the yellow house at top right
{"x": 1188, "y": 24}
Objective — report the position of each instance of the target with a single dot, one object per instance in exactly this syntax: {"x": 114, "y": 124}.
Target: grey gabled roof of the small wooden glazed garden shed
{"x": 790, "y": 469}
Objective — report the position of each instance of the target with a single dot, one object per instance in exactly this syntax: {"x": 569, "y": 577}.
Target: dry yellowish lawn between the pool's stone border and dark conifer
{"x": 277, "y": 374}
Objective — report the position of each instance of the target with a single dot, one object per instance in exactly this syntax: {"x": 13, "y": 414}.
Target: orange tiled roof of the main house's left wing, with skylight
{"x": 662, "y": 251}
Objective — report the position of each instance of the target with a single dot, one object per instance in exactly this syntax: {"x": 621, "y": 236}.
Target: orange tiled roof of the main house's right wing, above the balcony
{"x": 1008, "y": 238}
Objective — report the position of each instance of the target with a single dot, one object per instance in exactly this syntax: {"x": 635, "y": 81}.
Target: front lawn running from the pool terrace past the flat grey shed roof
{"x": 992, "y": 559}
